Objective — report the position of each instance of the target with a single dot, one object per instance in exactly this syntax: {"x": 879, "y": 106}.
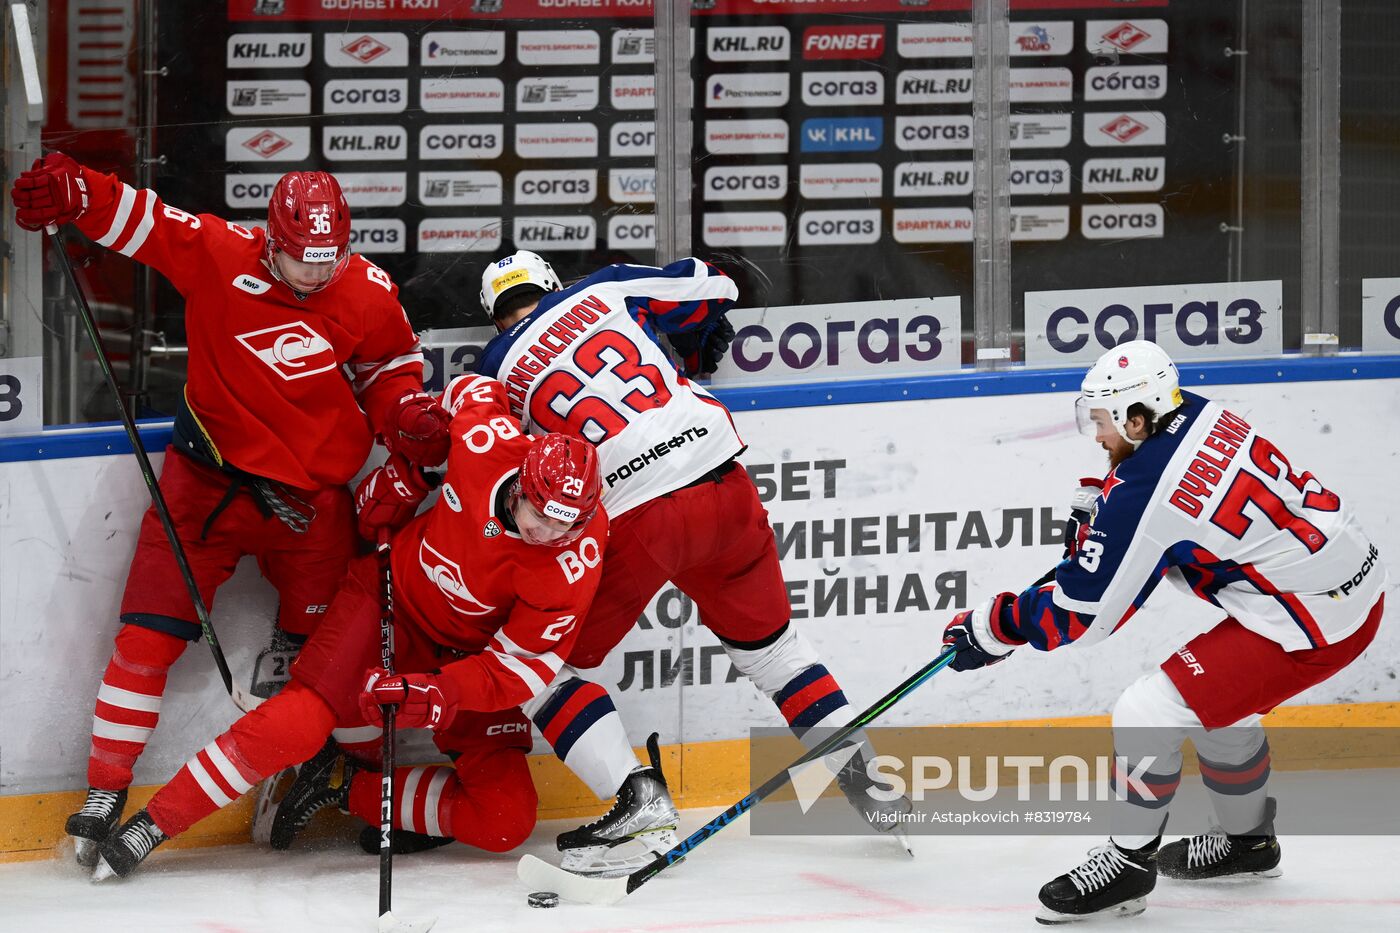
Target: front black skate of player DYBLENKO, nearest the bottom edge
{"x": 1112, "y": 883}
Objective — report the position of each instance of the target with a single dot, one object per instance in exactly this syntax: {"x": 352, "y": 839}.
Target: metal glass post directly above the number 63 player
{"x": 674, "y": 132}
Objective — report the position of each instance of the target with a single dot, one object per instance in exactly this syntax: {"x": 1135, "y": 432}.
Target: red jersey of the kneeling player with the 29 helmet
{"x": 470, "y": 583}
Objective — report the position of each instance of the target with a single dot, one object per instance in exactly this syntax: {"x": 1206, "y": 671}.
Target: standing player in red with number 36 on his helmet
{"x": 299, "y": 355}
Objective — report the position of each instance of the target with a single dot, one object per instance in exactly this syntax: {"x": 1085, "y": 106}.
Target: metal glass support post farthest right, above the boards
{"x": 1322, "y": 174}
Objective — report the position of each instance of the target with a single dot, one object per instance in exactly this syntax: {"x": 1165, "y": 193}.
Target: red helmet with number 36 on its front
{"x": 309, "y": 221}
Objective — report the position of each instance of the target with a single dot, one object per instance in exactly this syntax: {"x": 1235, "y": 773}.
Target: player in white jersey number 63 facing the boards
{"x": 586, "y": 362}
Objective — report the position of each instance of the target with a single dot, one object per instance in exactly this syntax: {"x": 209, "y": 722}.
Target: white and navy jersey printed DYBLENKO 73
{"x": 1213, "y": 501}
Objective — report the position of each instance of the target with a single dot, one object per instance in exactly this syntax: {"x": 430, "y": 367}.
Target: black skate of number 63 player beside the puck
{"x": 643, "y": 815}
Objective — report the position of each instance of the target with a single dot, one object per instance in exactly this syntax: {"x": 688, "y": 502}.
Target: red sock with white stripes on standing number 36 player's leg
{"x": 129, "y": 704}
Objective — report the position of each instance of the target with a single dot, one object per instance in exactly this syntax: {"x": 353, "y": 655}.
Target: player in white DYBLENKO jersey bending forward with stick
{"x": 1195, "y": 494}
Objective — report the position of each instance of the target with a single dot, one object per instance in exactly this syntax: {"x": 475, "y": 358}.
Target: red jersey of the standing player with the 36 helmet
{"x": 268, "y": 373}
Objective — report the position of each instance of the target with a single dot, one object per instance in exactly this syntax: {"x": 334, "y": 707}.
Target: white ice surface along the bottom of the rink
{"x": 731, "y": 883}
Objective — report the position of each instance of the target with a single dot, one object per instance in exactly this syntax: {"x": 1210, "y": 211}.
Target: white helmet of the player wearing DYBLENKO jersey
{"x": 1133, "y": 373}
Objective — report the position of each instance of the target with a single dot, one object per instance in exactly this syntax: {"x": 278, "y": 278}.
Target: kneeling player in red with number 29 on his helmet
{"x": 489, "y": 588}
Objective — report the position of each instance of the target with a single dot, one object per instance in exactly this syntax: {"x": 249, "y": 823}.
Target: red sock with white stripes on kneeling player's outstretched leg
{"x": 286, "y": 731}
